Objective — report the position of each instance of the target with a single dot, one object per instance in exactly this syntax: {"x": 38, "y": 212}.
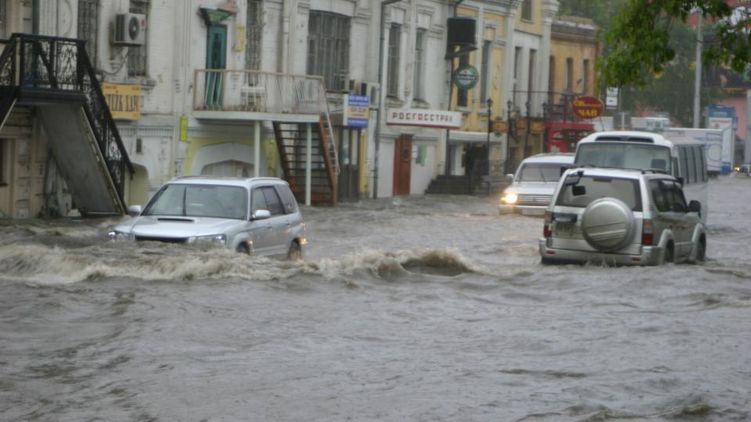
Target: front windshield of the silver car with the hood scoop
{"x": 199, "y": 201}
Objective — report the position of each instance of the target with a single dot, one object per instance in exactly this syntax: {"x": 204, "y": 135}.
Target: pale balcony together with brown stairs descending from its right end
{"x": 297, "y": 108}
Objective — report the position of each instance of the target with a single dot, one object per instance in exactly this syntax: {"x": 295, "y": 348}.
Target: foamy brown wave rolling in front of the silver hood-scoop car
{"x": 39, "y": 264}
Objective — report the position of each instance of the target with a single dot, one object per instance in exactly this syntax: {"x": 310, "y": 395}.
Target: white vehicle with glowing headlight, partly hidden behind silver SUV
{"x": 533, "y": 183}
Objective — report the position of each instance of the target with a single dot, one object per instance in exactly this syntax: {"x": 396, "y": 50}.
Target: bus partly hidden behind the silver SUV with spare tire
{"x": 681, "y": 157}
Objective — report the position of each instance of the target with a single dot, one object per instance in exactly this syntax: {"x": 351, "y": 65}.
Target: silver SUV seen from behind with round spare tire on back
{"x": 621, "y": 217}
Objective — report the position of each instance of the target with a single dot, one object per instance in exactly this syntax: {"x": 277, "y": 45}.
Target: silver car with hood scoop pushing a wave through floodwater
{"x": 258, "y": 216}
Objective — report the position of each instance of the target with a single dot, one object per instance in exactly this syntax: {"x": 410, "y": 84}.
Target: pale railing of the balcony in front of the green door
{"x": 255, "y": 91}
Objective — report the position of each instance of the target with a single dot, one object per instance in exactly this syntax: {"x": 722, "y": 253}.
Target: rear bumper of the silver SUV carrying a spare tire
{"x": 650, "y": 255}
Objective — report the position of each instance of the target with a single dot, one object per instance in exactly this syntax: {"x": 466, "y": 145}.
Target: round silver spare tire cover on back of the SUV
{"x": 607, "y": 224}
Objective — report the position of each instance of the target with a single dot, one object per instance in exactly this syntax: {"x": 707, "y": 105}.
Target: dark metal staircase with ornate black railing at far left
{"x": 54, "y": 75}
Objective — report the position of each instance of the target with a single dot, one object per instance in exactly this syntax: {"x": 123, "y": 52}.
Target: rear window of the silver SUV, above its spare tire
{"x": 581, "y": 192}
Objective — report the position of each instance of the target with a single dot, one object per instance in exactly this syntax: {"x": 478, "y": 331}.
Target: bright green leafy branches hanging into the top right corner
{"x": 638, "y": 40}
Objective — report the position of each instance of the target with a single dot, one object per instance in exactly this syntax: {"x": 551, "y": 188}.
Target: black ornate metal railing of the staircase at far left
{"x": 62, "y": 64}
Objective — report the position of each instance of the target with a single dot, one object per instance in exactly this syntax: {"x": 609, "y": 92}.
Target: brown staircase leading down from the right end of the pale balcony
{"x": 291, "y": 141}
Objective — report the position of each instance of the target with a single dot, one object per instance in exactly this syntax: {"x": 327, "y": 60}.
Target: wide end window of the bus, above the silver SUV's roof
{"x": 624, "y": 155}
